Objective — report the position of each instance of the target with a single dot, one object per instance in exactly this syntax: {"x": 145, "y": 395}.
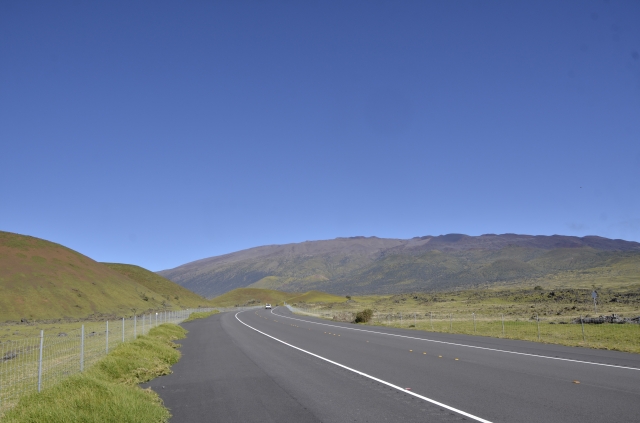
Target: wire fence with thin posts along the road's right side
{"x": 608, "y": 332}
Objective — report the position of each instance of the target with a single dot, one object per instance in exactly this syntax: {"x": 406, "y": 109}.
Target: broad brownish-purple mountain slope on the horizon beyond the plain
{"x": 377, "y": 265}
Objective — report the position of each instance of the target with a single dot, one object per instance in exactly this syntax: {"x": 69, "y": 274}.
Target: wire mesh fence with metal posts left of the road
{"x": 33, "y": 364}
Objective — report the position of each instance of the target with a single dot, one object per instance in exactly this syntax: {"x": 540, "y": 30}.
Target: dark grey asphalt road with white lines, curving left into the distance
{"x": 274, "y": 366}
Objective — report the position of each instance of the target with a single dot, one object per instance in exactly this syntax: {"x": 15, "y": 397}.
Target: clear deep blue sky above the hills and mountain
{"x": 158, "y": 133}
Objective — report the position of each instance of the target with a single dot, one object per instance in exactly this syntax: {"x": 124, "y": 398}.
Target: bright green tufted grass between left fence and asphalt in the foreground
{"x": 108, "y": 392}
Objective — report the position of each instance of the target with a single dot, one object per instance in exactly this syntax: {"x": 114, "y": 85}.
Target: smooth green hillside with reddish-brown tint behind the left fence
{"x": 41, "y": 280}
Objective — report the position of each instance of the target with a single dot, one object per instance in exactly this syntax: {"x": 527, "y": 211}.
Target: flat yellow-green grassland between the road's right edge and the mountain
{"x": 551, "y": 315}
